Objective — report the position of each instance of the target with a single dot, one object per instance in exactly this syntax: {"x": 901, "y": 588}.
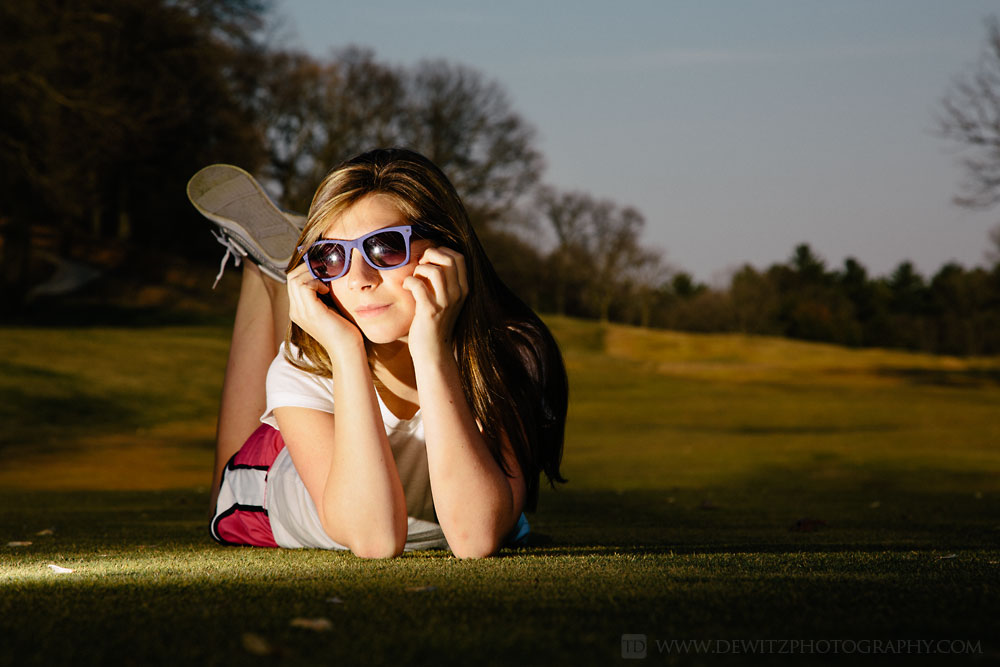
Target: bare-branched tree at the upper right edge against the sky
{"x": 970, "y": 116}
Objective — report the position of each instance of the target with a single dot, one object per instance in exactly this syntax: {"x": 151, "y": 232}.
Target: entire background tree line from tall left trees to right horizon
{"x": 110, "y": 105}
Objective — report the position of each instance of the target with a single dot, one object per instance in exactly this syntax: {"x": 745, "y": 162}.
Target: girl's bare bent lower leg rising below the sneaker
{"x": 259, "y": 328}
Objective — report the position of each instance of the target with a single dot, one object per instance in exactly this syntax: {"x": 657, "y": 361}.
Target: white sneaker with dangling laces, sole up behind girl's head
{"x": 250, "y": 223}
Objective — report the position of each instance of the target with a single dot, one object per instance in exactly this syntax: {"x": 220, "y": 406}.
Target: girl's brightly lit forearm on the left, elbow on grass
{"x": 363, "y": 499}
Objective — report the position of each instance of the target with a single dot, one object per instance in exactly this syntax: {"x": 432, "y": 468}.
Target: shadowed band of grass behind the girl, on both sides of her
{"x": 828, "y": 507}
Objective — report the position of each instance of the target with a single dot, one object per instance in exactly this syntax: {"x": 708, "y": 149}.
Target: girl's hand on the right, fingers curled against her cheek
{"x": 439, "y": 285}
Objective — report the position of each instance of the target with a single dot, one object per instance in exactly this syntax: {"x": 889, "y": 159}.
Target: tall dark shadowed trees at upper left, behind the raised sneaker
{"x": 108, "y": 107}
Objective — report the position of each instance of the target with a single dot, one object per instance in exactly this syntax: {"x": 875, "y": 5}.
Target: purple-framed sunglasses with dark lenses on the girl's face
{"x": 383, "y": 249}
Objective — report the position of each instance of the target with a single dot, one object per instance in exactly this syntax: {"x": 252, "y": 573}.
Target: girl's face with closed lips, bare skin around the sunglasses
{"x": 374, "y": 300}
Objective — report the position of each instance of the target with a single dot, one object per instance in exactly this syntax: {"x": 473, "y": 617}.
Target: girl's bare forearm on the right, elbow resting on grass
{"x": 472, "y": 494}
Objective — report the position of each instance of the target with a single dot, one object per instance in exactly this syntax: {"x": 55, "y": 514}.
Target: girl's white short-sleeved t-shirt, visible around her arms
{"x": 292, "y": 513}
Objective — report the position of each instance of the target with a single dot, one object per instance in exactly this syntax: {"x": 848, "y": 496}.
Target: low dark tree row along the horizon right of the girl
{"x": 955, "y": 311}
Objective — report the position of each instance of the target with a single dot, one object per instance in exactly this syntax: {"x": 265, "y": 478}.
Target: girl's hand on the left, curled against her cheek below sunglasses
{"x": 306, "y": 309}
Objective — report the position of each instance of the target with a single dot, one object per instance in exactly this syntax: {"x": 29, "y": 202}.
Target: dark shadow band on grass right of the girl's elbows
{"x": 828, "y": 506}
